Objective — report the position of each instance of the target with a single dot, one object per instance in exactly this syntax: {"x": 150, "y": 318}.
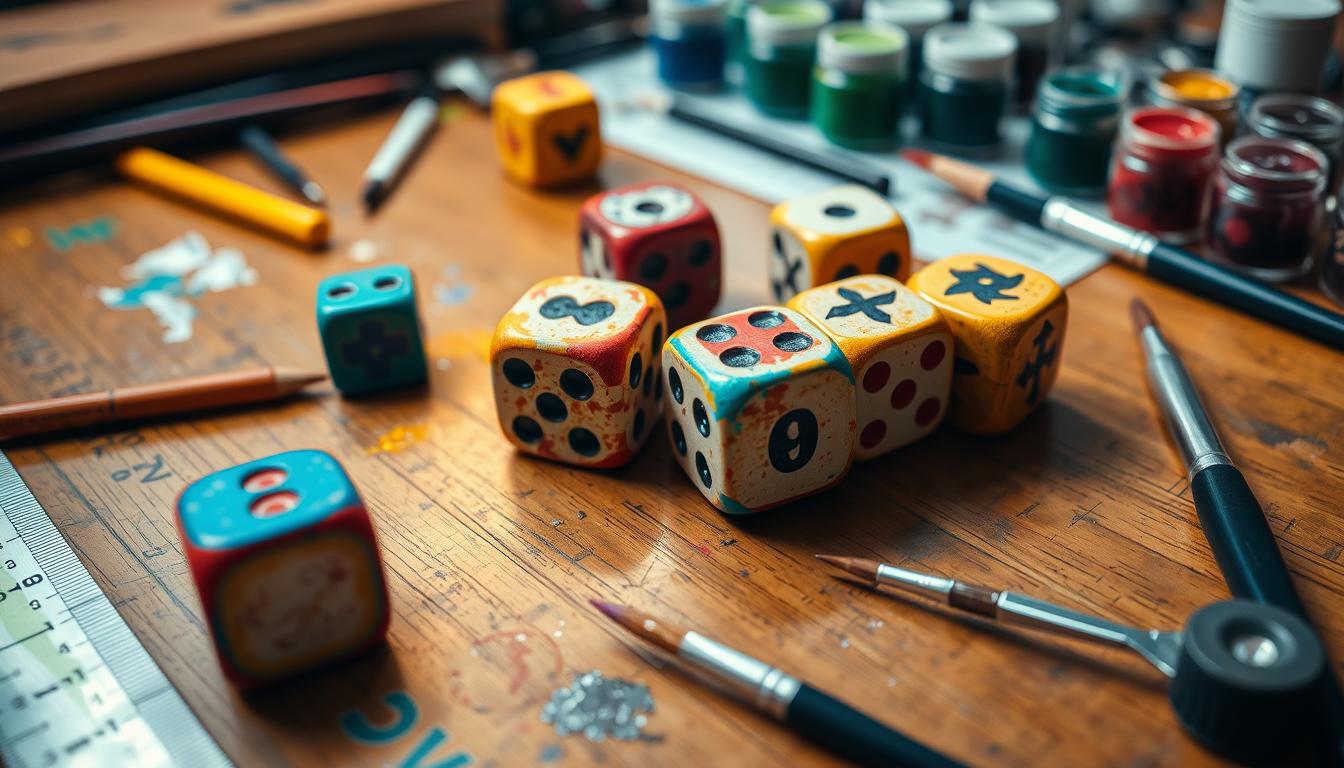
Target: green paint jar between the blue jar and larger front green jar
{"x": 782, "y": 50}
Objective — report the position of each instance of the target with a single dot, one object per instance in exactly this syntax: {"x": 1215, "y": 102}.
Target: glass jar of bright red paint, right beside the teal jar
{"x": 1162, "y": 170}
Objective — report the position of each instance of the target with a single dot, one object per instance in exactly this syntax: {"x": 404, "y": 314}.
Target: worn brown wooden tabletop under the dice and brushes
{"x": 493, "y": 556}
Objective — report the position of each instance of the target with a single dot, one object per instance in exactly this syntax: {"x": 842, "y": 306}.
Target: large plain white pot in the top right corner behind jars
{"x": 1276, "y": 45}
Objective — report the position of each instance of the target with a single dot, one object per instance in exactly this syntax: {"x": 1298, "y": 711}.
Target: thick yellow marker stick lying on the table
{"x": 292, "y": 221}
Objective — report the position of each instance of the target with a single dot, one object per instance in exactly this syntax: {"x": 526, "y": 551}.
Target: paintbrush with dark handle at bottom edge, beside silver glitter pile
{"x": 810, "y": 712}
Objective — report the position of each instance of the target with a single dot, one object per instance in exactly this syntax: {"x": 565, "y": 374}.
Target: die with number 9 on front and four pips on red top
{"x": 761, "y": 408}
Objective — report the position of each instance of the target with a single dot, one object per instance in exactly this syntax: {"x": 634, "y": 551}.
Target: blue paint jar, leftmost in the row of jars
{"x": 690, "y": 38}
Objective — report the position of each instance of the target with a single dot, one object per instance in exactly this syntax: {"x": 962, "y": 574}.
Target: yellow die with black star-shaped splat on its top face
{"x": 1010, "y": 328}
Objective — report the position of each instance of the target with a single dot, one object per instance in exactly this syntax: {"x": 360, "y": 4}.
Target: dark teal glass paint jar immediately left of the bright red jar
{"x": 1075, "y": 128}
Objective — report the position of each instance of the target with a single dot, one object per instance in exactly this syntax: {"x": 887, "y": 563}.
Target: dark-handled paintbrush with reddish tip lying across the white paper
{"x": 1139, "y": 249}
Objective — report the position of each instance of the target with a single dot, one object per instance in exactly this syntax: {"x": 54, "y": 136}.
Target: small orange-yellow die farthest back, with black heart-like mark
{"x": 546, "y": 130}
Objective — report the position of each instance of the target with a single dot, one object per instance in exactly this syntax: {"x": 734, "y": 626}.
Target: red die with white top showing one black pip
{"x": 659, "y": 236}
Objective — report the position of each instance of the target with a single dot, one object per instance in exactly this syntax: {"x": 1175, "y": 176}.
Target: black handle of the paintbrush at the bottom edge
{"x": 839, "y": 728}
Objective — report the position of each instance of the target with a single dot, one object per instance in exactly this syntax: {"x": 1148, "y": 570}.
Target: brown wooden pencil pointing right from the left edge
{"x": 151, "y": 400}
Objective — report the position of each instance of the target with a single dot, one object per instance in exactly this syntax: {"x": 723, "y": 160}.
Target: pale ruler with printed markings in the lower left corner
{"x": 76, "y": 685}
